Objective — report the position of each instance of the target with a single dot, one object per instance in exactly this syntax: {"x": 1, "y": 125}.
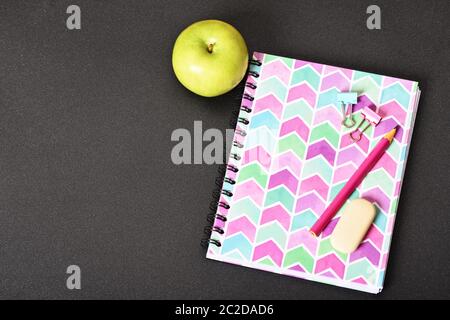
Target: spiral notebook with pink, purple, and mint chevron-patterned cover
{"x": 292, "y": 155}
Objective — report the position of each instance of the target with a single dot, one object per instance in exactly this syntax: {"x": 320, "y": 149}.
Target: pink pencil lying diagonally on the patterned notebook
{"x": 351, "y": 184}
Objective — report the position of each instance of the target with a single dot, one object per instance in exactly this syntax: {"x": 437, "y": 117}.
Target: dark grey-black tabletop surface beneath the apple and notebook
{"x": 85, "y": 123}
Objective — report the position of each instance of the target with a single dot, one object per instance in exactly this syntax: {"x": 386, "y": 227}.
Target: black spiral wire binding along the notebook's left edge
{"x": 222, "y": 179}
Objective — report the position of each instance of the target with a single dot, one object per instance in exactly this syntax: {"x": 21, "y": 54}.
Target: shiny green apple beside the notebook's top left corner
{"x": 210, "y": 57}
